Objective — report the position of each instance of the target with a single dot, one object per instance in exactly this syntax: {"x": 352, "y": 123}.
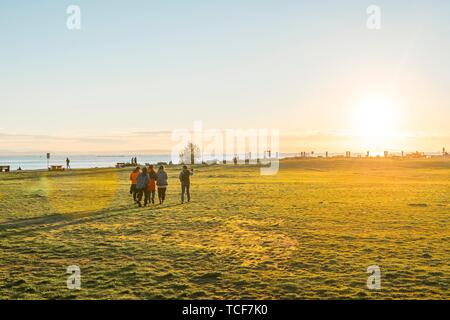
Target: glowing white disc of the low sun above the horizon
{"x": 375, "y": 118}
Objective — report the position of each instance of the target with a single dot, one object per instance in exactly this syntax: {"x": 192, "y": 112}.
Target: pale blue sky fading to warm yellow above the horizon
{"x": 137, "y": 70}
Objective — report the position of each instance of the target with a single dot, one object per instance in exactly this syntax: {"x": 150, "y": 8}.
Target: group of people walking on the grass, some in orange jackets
{"x": 146, "y": 182}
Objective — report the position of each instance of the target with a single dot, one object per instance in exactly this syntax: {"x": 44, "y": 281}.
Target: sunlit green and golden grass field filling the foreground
{"x": 310, "y": 231}
